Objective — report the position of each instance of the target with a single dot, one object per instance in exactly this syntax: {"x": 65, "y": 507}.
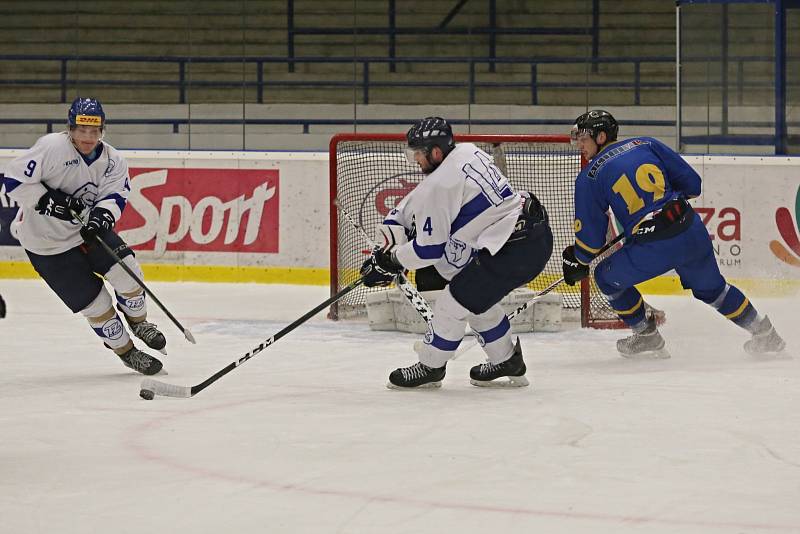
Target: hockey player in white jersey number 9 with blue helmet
{"x": 76, "y": 171}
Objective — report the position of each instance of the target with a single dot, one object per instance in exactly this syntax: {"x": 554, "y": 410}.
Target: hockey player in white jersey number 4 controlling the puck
{"x": 466, "y": 221}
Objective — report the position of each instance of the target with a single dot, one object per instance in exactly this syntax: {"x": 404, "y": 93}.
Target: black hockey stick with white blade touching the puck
{"x": 151, "y": 387}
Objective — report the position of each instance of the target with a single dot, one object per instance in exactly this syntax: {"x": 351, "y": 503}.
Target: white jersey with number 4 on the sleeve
{"x": 463, "y": 206}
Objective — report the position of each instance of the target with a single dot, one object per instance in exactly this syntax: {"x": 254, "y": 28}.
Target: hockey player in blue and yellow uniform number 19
{"x": 647, "y": 186}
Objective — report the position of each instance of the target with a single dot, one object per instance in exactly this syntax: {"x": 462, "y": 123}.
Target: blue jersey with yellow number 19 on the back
{"x": 633, "y": 177}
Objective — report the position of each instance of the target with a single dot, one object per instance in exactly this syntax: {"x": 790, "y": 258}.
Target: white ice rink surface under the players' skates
{"x": 306, "y": 438}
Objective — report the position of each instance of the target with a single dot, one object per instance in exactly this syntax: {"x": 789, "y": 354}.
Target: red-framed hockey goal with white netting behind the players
{"x": 369, "y": 175}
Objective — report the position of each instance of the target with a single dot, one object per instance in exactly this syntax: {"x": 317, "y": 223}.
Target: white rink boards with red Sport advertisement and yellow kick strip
{"x": 264, "y": 217}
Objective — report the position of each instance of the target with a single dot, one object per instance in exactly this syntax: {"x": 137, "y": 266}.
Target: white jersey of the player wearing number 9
{"x": 55, "y": 162}
